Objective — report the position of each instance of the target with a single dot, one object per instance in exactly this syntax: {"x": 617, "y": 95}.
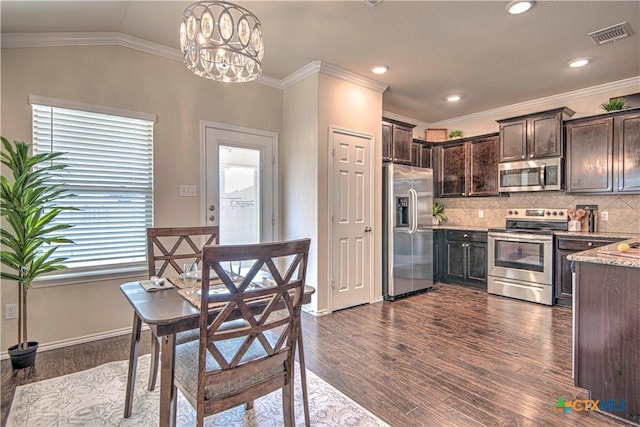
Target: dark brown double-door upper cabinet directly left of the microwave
{"x": 468, "y": 167}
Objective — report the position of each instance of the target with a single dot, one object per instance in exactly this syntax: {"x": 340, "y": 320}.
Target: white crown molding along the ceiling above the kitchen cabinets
{"x": 630, "y": 84}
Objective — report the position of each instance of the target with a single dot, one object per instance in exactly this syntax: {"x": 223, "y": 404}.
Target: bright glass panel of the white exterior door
{"x": 240, "y": 195}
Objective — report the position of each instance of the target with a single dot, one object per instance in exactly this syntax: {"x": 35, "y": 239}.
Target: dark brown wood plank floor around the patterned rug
{"x": 454, "y": 356}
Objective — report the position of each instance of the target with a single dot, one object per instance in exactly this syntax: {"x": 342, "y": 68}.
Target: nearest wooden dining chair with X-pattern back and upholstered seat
{"x": 228, "y": 367}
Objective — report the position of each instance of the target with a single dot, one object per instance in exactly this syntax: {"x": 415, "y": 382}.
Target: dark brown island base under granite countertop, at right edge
{"x": 607, "y": 337}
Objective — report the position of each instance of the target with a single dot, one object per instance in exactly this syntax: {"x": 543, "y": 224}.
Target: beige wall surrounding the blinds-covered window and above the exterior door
{"x": 122, "y": 78}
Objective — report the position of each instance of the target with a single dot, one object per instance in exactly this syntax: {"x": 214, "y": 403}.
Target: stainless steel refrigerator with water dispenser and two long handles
{"x": 407, "y": 242}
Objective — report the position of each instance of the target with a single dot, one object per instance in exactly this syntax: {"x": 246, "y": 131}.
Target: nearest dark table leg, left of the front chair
{"x": 168, "y": 392}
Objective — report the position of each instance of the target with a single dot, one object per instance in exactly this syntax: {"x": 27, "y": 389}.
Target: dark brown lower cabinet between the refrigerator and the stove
{"x": 465, "y": 258}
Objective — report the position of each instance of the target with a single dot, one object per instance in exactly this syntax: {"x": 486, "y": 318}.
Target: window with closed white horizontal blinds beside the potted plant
{"x": 109, "y": 159}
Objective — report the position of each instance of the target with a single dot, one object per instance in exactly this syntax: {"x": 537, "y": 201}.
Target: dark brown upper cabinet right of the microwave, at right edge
{"x": 603, "y": 154}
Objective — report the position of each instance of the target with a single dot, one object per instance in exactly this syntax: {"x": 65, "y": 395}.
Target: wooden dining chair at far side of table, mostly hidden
{"x": 167, "y": 249}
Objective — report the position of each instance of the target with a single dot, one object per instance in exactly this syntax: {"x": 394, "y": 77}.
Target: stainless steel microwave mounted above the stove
{"x": 531, "y": 175}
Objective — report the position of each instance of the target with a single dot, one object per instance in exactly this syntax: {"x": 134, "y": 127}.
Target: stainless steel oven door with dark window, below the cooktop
{"x": 521, "y": 256}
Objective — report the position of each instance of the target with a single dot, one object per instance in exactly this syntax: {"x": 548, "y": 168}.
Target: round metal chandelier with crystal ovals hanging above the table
{"x": 222, "y": 41}
